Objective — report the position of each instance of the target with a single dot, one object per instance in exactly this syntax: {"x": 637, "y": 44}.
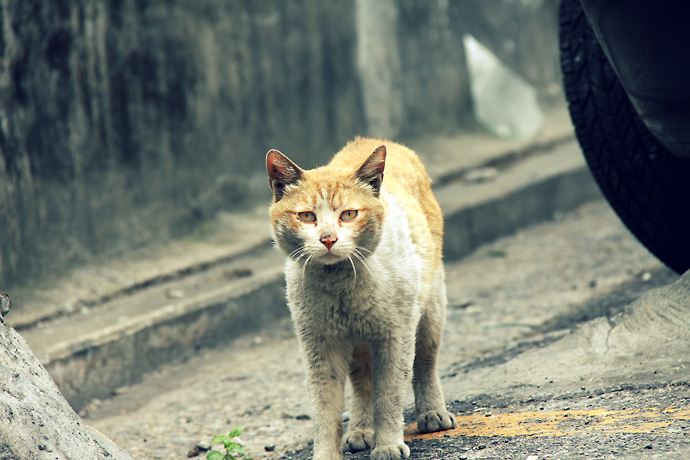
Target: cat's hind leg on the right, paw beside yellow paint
{"x": 432, "y": 414}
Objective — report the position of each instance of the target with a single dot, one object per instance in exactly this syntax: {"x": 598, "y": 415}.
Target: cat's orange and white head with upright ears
{"x": 329, "y": 214}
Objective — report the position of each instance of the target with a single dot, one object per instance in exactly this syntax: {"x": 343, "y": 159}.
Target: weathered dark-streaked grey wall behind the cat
{"x": 128, "y": 121}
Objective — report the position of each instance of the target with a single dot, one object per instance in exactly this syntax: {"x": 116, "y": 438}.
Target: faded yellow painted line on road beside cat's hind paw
{"x": 559, "y": 423}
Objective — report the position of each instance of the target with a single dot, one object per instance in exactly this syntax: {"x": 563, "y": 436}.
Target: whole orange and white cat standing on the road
{"x": 366, "y": 291}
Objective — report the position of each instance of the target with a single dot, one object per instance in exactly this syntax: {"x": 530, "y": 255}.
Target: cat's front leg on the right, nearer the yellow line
{"x": 392, "y": 374}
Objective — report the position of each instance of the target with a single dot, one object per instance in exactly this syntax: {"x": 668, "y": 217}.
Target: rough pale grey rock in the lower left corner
{"x": 35, "y": 420}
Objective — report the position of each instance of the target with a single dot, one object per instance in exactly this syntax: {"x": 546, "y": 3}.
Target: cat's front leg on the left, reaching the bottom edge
{"x": 326, "y": 372}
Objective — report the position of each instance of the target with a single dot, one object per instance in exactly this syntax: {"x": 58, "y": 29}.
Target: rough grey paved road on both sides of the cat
{"x": 523, "y": 385}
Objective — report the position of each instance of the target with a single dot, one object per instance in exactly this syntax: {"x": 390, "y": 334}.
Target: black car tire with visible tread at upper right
{"x": 647, "y": 186}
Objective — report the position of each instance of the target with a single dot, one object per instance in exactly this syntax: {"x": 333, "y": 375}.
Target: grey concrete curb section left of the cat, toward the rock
{"x": 95, "y": 370}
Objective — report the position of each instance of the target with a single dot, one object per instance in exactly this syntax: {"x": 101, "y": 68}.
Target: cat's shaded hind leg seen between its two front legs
{"x": 360, "y": 433}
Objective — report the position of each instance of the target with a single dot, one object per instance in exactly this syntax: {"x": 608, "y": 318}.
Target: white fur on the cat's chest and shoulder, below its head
{"x": 364, "y": 299}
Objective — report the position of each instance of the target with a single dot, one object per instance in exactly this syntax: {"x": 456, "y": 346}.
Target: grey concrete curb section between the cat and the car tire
{"x": 535, "y": 190}
